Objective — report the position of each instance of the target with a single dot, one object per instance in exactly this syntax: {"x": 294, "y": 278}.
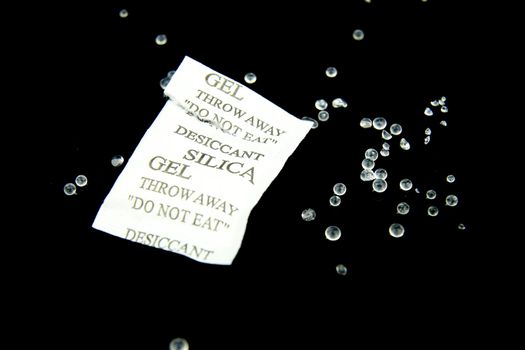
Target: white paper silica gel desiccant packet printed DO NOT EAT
{"x": 201, "y": 167}
